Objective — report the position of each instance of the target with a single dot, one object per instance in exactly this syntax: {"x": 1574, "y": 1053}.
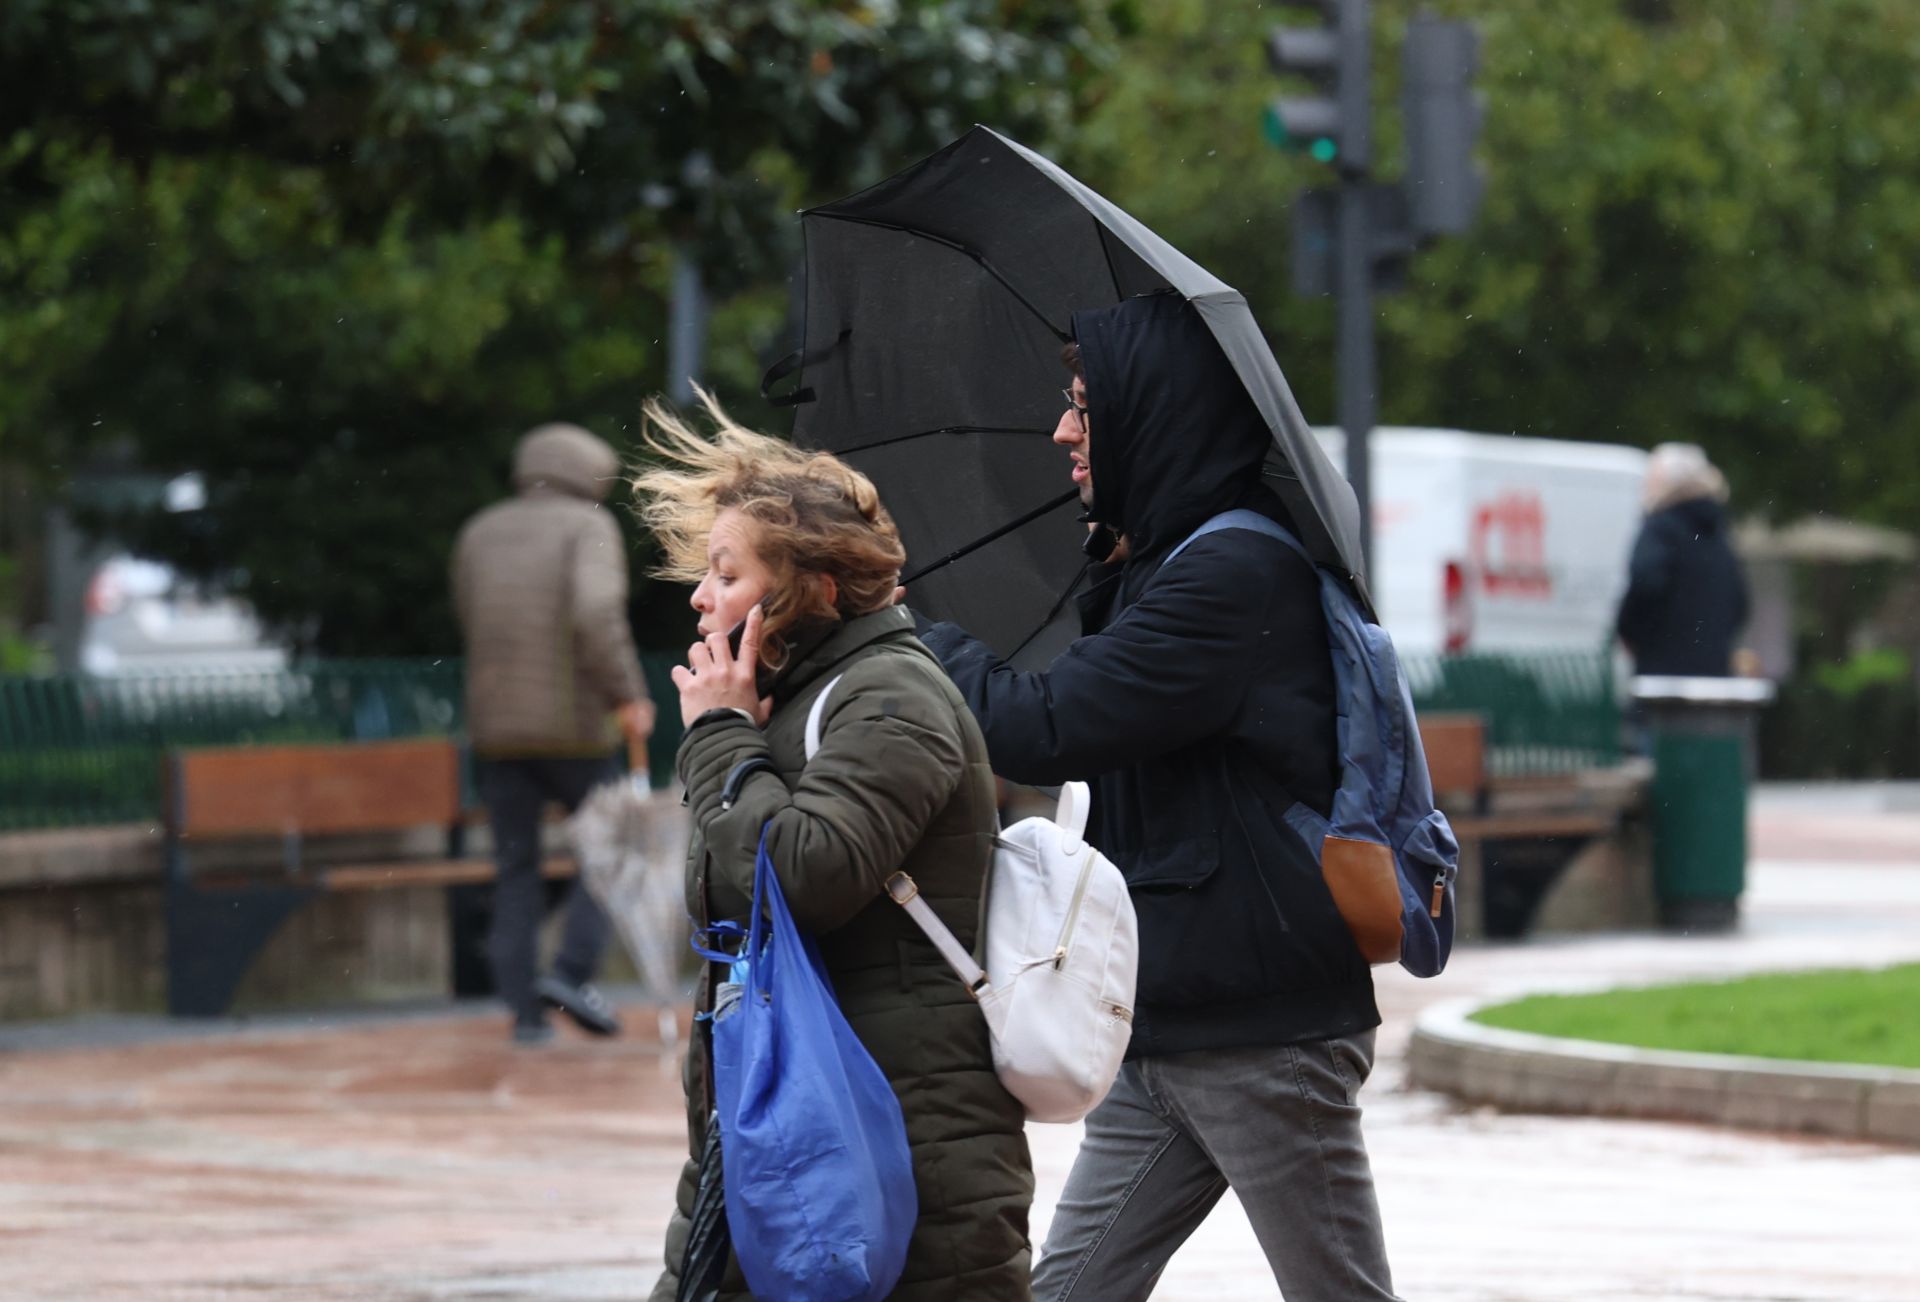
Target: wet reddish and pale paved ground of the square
{"x": 427, "y": 1159}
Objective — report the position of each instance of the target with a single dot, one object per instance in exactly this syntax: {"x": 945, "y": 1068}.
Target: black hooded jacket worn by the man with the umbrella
{"x": 1199, "y": 704}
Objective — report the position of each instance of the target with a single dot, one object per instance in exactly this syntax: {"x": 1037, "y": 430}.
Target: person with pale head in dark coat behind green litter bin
{"x": 1687, "y": 598}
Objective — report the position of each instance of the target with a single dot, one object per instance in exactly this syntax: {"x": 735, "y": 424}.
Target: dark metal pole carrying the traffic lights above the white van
{"x": 1355, "y": 276}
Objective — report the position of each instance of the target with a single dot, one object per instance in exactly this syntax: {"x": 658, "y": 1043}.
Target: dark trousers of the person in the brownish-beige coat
{"x": 516, "y": 794}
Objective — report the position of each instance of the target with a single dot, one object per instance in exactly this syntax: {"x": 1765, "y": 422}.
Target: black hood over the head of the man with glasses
{"x": 1174, "y": 435}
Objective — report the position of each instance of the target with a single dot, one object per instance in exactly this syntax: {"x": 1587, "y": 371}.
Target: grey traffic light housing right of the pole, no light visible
{"x": 1443, "y": 120}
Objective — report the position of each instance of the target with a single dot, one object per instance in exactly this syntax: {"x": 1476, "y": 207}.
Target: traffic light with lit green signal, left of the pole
{"x": 1333, "y": 124}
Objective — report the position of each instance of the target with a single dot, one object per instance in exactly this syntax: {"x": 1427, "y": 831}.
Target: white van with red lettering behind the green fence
{"x": 1491, "y": 542}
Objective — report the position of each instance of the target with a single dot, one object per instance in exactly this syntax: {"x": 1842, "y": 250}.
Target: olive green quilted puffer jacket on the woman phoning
{"x": 900, "y": 783}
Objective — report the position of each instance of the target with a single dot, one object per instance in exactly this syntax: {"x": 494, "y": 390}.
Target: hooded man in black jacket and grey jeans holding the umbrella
{"x": 1199, "y": 704}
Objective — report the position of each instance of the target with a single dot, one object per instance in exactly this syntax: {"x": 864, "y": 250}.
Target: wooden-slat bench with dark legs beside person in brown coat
{"x": 302, "y": 802}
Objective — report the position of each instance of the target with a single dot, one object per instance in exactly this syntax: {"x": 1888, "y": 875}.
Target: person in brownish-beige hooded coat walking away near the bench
{"x": 552, "y": 679}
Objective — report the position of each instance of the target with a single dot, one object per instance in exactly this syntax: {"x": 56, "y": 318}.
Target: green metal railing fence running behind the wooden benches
{"x": 78, "y": 750}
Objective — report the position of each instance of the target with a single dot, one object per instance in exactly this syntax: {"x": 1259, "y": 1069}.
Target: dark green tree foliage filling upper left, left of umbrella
{"x": 337, "y": 254}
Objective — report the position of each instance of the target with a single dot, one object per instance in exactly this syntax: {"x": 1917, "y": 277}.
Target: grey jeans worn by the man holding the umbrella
{"x": 1276, "y": 1124}
